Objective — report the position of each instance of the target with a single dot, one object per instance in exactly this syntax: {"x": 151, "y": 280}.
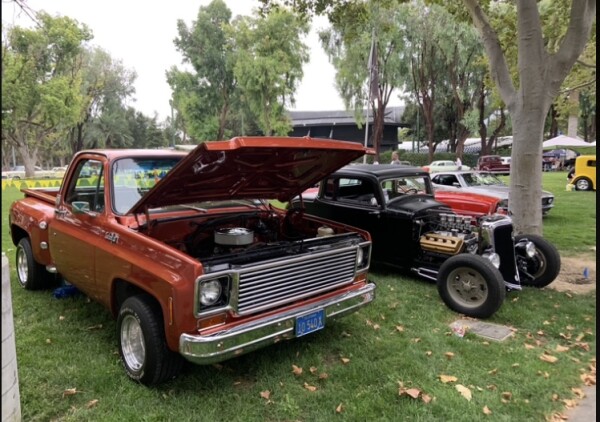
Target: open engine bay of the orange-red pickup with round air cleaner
{"x": 223, "y": 240}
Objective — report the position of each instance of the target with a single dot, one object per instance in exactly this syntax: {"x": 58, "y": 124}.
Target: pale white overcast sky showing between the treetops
{"x": 140, "y": 33}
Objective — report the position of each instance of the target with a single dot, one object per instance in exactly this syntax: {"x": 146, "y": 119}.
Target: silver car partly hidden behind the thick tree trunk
{"x": 482, "y": 183}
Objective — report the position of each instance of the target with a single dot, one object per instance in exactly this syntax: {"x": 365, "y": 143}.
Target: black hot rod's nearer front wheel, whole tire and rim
{"x": 471, "y": 285}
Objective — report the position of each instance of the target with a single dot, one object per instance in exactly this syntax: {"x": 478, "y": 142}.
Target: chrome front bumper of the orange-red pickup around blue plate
{"x": 245, "y": 338}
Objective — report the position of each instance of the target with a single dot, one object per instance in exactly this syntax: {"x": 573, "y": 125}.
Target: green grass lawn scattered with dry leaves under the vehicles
{"x": 354, "y": 370}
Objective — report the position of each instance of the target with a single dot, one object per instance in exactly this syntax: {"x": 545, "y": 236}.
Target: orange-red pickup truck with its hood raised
{"x": 188, "y": 254}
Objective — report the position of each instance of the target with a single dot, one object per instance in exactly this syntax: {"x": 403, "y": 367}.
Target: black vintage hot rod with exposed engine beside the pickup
{"x": 474, "y": 260}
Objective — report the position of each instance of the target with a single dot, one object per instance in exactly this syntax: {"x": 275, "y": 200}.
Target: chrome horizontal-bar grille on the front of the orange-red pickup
{"x": 283, "y": 281}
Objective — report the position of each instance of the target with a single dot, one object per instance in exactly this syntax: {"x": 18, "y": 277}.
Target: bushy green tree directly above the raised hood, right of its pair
{"x": 270, "y": 54}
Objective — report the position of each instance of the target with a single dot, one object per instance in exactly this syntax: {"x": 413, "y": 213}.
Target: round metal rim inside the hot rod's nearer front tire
{"x": 467, "y": 287}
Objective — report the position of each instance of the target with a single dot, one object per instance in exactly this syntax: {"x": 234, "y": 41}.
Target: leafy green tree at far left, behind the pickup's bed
{"x": 41, "y": 83}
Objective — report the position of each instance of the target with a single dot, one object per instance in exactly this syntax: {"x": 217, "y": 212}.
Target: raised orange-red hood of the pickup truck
{"x": 250, "y": 168}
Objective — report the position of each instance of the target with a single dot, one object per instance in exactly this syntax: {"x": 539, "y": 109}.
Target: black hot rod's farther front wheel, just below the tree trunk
{"x": 543, "y": 268}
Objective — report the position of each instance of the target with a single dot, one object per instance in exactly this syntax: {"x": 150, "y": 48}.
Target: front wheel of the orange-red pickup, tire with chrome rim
{"x": 142, "y": 344}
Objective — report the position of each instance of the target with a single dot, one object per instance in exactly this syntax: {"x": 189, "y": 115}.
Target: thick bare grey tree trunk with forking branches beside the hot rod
{"x": 540, "y": 75}
